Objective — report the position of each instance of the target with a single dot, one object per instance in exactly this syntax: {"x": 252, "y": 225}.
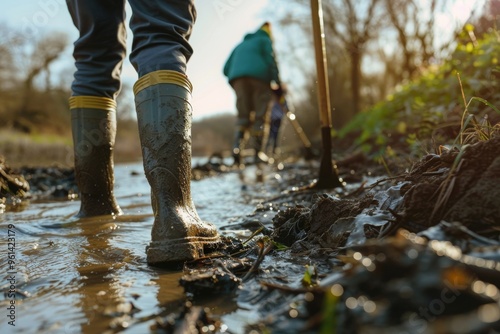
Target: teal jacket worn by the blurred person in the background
{"x": 253, "y": 57}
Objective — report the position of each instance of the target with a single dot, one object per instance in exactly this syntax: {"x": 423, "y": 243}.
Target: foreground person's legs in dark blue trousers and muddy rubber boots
{"x": 160, "y": 52}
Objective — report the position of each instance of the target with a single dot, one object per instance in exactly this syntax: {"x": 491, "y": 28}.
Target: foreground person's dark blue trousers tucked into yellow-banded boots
{"x": 161, "y": 30}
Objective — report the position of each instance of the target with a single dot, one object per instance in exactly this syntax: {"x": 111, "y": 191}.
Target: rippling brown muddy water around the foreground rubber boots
{"x": 90, "y": 275}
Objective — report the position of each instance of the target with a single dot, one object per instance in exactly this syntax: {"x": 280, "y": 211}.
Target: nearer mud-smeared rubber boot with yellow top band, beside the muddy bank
{"x": 164, "y": 119}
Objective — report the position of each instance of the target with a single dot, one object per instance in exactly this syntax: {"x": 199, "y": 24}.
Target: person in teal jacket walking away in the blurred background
{"x": 250, "y": 70}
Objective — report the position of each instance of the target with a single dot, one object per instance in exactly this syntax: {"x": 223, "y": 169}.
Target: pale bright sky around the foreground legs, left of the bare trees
{"x": 220, "y": 25}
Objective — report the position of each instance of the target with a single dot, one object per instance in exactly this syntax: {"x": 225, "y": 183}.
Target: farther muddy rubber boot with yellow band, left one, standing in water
{"x": 93, "y": 122}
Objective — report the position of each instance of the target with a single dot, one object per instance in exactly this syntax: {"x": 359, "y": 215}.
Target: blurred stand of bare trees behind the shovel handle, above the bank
{"x": 372, "y": 45}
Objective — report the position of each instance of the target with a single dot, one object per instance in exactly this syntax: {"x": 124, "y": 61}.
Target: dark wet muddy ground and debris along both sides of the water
{"x": 414, "y": 252}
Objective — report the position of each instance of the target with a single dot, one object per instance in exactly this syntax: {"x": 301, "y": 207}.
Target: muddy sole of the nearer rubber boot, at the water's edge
{"x": 164, "y": 253}
